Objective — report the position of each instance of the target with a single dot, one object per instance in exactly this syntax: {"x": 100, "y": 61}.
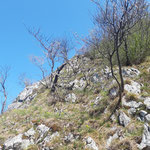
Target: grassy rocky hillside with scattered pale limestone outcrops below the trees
{"x": 75, "y": 118}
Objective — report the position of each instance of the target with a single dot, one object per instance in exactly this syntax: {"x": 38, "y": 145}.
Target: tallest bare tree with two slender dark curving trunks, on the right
{"x": 115, "y": 19}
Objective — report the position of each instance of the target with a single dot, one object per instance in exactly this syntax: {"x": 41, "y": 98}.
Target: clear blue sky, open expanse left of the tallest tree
{"x": 54, "y": 17}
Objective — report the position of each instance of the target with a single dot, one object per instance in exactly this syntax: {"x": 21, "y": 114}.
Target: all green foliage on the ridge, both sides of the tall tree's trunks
{"x": 138, "y": 46}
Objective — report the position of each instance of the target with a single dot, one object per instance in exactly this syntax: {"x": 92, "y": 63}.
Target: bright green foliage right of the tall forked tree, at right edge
{"x": 138, "y": 44}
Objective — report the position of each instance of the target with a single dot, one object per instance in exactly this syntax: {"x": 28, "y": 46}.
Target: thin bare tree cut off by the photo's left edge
{"x": 3, "y": 90}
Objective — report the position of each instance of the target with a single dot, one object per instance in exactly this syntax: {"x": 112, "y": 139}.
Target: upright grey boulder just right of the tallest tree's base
{"x": 124, "y": 120}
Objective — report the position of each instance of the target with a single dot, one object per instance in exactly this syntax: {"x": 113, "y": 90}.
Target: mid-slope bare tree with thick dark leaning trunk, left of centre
{"x": 56, "y": 52}
